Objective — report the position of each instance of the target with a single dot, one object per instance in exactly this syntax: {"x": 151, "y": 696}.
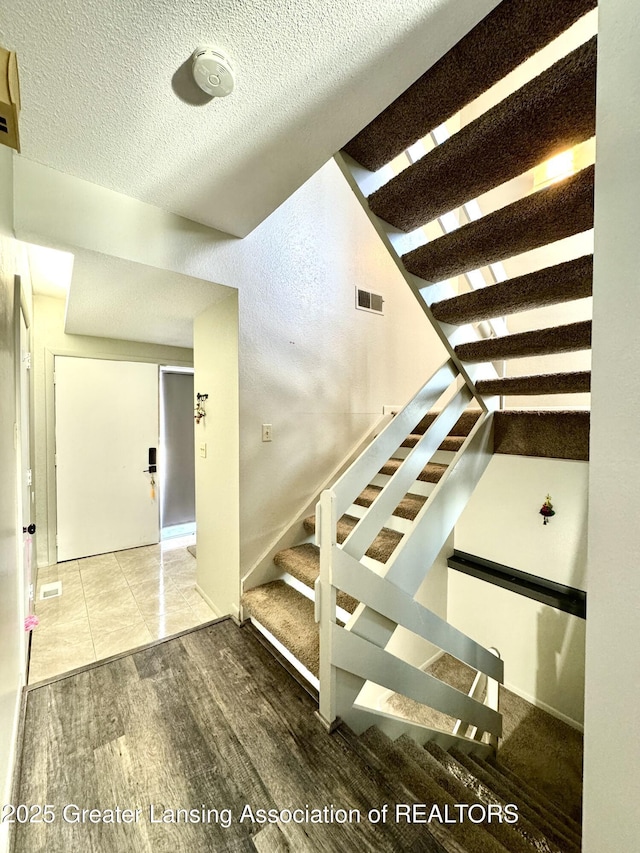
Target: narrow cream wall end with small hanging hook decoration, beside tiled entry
{"x": 218, "y": 473}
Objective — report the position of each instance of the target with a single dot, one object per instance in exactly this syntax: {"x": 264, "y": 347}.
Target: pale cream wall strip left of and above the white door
{"x": 49, "y": 339}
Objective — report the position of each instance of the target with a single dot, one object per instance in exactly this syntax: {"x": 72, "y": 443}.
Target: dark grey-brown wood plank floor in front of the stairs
{"x": 207, "y": 721}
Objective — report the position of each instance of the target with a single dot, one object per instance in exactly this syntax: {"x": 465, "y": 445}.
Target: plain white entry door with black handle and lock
{"x": 106, "y": 422}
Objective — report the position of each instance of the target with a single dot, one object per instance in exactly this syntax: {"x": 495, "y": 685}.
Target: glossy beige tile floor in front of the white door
{"x": 112, "y": 603}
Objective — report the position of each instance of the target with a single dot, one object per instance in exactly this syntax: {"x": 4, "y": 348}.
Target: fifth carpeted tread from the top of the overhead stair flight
{"x": 556, "y": 339}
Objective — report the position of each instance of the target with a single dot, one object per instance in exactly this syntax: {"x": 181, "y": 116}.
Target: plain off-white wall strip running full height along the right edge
{"x": 612, "y": 746}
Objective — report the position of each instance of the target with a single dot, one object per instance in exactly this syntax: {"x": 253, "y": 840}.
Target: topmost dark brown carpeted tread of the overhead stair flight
{"x": 513, "y": 31}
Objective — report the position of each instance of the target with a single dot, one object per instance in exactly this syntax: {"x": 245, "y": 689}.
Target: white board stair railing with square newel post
{"x": 354, "y": 654}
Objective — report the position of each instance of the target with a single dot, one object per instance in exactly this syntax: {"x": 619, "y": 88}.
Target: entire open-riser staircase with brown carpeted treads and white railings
{"x": 337, "y": 607}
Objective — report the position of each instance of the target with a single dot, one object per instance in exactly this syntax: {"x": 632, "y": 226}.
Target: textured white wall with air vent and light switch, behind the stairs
{"x": 310, "y": 364}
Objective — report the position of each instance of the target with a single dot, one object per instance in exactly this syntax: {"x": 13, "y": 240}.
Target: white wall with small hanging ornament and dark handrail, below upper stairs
{"x": 543, "y": 648}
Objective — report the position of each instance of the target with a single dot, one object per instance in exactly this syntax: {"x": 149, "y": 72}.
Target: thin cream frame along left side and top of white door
{"x": 51, "y": 514}
